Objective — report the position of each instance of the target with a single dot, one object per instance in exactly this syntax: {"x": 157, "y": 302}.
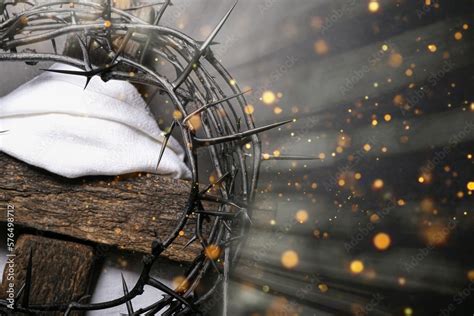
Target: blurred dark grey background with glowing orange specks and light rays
{"x": 382, "y": 92}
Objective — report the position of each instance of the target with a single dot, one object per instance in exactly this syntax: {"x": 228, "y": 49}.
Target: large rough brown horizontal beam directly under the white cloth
{"x": 125, "y": 211}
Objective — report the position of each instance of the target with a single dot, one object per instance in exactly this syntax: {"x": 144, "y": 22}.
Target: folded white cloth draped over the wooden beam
{"x": 106, "y": 129}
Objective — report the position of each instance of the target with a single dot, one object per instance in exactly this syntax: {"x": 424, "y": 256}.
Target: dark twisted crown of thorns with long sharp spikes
{"x": 198, "y": 87}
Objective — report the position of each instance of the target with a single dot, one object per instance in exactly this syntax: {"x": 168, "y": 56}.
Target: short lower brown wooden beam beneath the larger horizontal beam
{"x": 61, "y": 270}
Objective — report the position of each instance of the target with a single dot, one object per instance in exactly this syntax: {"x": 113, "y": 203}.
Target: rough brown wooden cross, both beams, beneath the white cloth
{"x": 72, "y": 220}
